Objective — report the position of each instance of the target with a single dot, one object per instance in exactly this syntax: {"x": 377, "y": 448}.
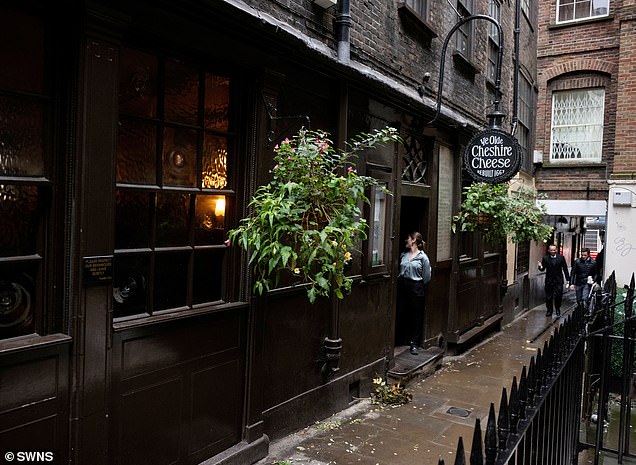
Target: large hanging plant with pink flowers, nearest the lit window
{"x": 307, "y": 220}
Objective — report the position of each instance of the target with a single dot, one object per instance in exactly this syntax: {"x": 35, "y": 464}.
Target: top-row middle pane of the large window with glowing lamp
{"x": 181, "y": 93}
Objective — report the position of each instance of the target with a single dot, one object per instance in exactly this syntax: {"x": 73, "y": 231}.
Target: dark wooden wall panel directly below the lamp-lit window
{"x": 178, "y": 389}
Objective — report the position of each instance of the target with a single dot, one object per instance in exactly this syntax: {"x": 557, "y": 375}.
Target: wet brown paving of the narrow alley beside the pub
{"x": 423, "y": 431}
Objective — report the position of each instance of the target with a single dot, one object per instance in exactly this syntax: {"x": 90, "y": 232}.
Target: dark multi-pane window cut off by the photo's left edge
{"x": 27, "y": 185}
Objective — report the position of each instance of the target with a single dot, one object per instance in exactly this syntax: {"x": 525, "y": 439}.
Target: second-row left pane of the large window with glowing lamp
{"x": 136, "y": 153}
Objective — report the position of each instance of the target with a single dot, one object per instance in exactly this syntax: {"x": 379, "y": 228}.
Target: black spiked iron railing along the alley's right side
{"x": 538, "y": 423}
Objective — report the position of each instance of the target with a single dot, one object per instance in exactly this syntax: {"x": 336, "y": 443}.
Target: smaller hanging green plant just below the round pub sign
{"x": 490, "y": 209}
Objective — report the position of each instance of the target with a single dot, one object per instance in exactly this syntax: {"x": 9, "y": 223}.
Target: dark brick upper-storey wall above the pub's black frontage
{"x": 382, "y": 40}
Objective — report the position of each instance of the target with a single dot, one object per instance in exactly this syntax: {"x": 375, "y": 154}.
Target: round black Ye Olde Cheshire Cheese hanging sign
{"x": 492, "y": 156}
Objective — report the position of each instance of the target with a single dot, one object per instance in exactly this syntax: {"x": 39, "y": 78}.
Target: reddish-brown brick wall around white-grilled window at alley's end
{"x": 574, "y": 56}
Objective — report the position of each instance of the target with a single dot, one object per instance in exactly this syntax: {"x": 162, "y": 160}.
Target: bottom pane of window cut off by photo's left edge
{"x": 17, "y": 299}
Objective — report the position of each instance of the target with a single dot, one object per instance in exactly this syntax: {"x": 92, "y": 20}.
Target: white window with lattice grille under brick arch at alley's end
{"x": 580, "y": 130}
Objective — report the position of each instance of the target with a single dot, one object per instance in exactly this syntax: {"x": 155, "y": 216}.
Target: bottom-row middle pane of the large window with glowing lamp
{"x": 171, "y": 277}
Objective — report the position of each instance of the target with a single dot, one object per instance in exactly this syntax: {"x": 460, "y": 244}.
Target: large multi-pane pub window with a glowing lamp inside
{"x": 174, "y": 185}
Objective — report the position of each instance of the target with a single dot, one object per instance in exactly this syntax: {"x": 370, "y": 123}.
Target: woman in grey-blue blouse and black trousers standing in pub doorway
{"x": 415, "y": 273}
